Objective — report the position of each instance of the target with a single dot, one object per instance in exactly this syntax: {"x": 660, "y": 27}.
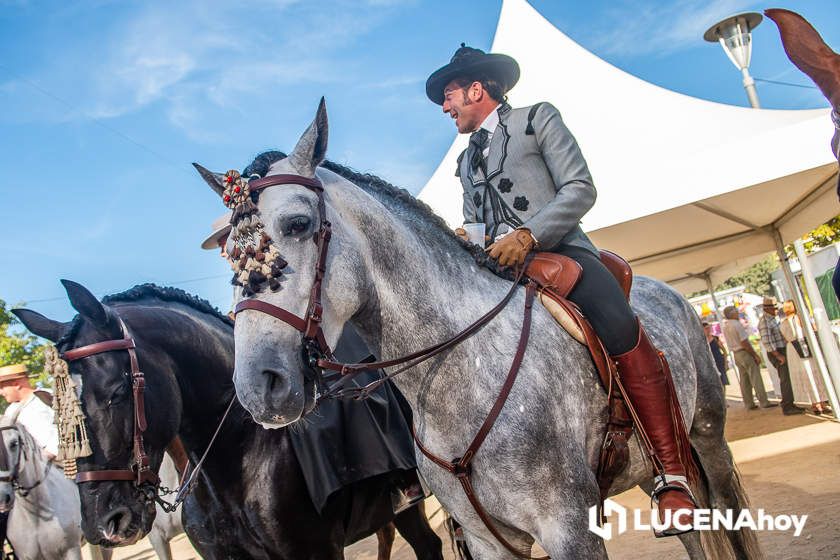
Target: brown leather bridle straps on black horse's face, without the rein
{"x": 138, "y": 471}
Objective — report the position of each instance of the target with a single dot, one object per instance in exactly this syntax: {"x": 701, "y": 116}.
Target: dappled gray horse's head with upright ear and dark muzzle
{"x": 272, "y": 379}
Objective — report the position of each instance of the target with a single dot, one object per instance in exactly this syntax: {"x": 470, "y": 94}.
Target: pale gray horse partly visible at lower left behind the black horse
{"x": 45, "y": 516}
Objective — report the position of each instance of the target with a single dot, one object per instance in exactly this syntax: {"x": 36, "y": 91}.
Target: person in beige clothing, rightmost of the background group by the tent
{"x": 804, "y": 375}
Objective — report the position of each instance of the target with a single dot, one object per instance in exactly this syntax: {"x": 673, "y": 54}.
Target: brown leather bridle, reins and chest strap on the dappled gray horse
{"x": 319, "y": 356}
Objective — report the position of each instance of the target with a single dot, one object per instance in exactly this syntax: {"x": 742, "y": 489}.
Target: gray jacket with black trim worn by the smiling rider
{"x": 536, "y": 178}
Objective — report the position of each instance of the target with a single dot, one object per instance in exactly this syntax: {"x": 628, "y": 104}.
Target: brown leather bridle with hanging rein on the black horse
{"x": 139, "y": 470}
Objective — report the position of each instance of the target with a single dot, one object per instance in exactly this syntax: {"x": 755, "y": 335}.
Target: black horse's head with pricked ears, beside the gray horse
{"x": 113, "y": 512}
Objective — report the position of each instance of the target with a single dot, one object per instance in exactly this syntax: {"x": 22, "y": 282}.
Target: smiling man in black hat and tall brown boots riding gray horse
{"x": 524, "y": 176}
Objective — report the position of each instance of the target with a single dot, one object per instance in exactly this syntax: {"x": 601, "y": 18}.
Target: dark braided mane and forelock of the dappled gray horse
{"x": 383, "y": 190}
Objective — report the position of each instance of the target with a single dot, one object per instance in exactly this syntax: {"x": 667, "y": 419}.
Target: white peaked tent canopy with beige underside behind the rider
{"x": 686, "y": 186}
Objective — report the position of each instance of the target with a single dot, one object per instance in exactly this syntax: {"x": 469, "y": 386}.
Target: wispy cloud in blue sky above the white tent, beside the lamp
{"x": 659, "y": 28}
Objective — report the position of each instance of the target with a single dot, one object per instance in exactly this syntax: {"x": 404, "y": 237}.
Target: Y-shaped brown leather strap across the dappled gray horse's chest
{"x": 461, "y": 467}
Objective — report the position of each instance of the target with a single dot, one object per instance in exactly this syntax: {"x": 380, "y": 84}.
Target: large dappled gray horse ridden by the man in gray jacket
{"x": 405, "y": 281}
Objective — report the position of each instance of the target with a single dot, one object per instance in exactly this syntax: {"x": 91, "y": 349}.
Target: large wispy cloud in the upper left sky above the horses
{"x": 189, "y": 56}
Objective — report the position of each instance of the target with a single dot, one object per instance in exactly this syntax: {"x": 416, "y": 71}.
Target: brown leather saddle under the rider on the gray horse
{"x": 556, "y": 276}
